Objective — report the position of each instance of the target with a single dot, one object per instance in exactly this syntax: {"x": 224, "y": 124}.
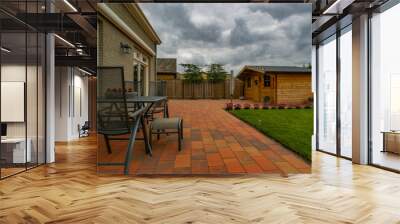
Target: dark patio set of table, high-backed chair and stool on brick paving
{"x": 121, "y": 115}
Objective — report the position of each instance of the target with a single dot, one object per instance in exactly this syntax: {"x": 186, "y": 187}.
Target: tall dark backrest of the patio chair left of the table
{"x": 112, "y": 113}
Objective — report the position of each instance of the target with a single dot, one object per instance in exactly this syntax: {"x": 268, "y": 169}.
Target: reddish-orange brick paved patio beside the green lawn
{"x": 215, "y": 142}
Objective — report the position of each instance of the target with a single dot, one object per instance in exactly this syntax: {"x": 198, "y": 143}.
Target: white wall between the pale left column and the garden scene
{"x": 70, "y": 83}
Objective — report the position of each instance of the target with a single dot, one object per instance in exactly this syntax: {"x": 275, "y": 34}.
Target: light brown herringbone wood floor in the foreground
{"x": 69, "y": 191}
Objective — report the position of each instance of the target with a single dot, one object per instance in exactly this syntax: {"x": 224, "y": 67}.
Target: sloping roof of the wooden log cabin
{"x": 275, "y": 69}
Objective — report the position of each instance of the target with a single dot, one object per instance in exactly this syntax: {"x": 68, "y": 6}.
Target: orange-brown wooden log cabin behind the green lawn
{"x": 280, "y": 84}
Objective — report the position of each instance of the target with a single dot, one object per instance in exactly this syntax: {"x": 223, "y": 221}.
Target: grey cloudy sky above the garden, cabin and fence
{"x": 232, "y": 34}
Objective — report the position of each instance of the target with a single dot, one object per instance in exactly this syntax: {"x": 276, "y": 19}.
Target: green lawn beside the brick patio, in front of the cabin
{"x": 291, "y": 127}
